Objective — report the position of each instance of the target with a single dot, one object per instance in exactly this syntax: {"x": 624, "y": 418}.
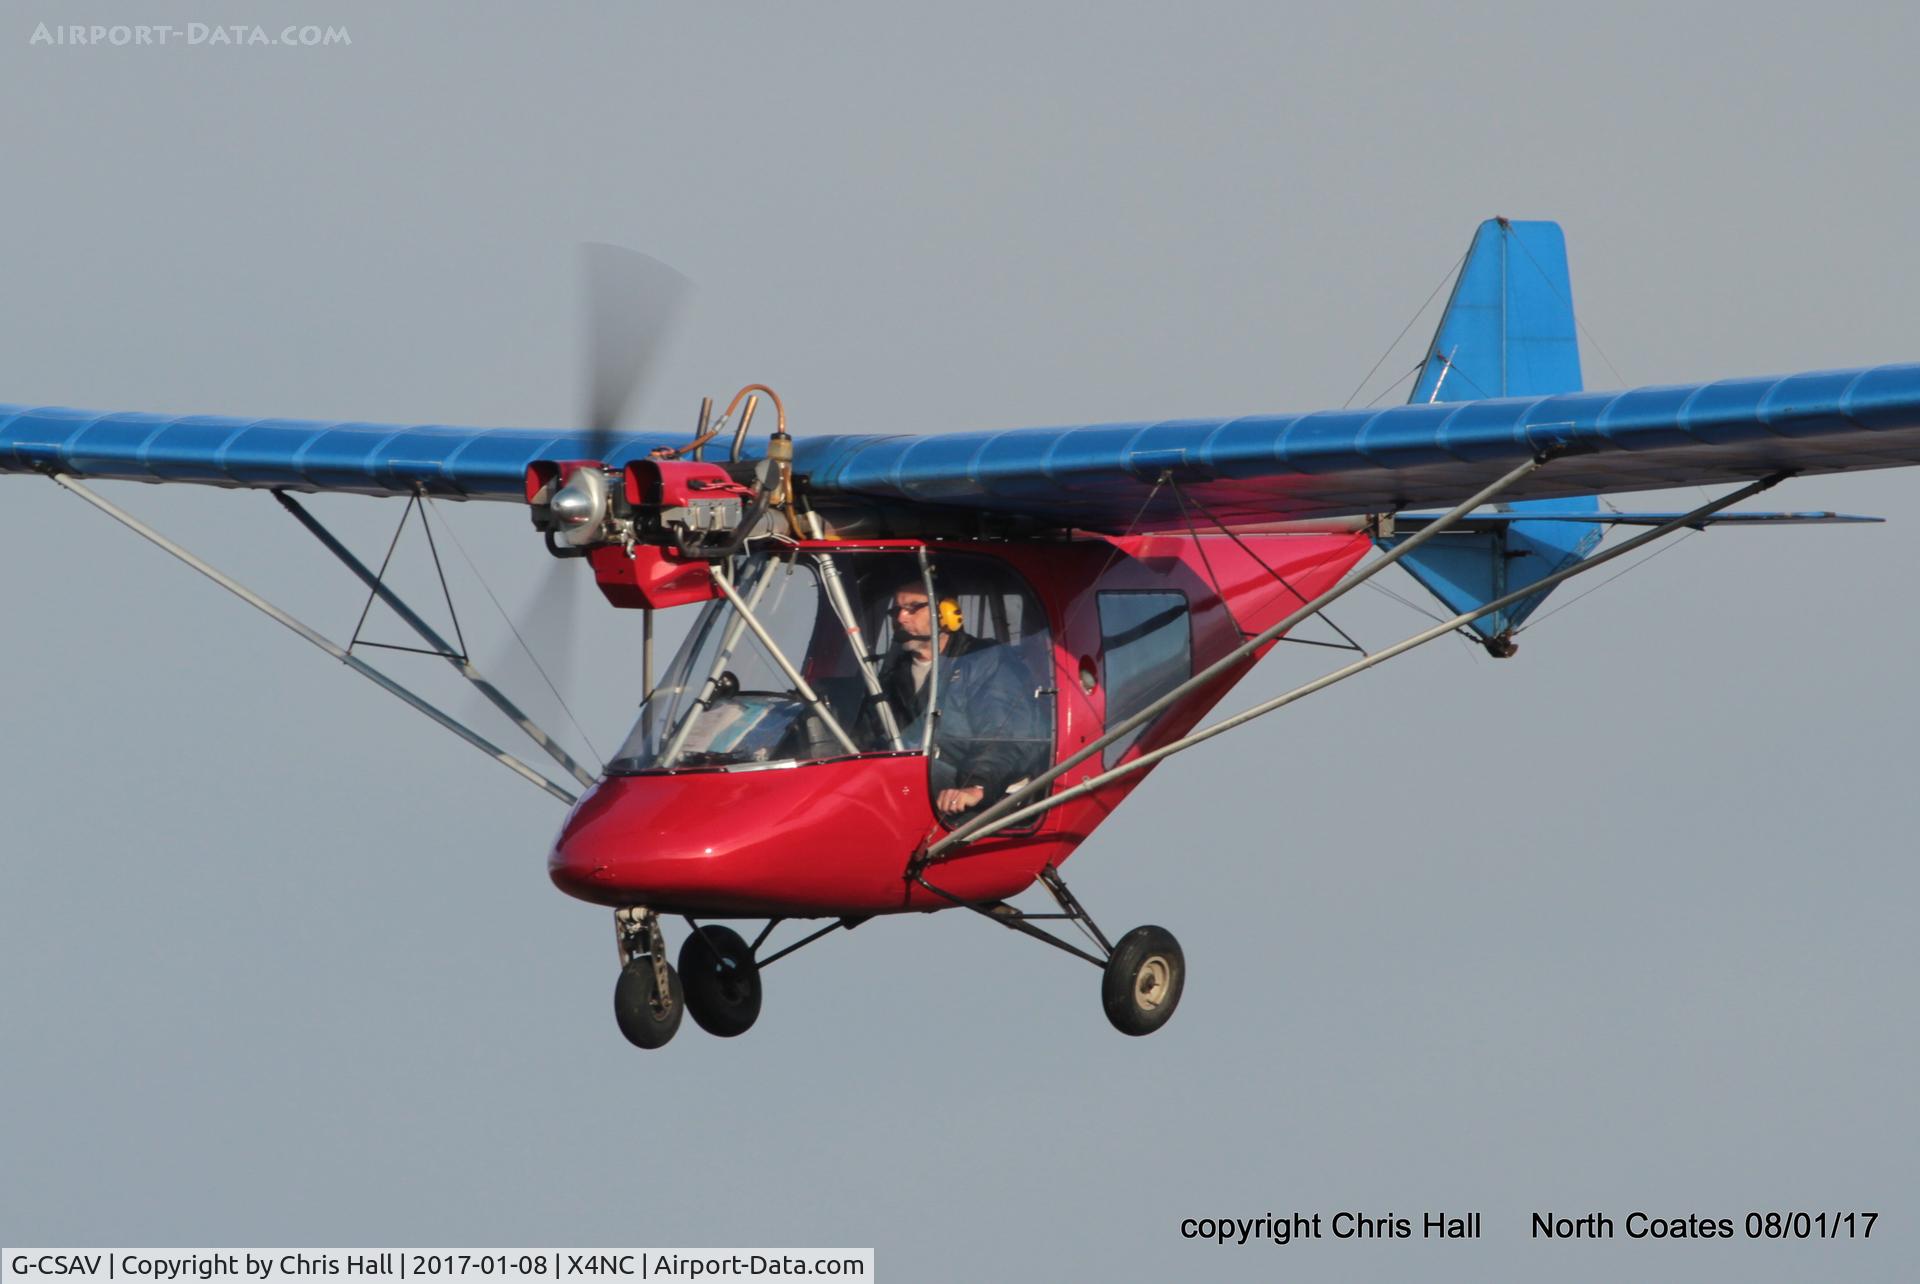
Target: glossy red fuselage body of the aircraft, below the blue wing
{"x": 834, "y": 838}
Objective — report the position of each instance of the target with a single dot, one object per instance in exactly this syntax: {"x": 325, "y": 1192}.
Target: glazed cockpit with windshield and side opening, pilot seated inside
{"x": 813, "y": 655}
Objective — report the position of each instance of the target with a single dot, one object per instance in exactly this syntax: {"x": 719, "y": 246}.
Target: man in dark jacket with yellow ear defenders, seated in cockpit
{"x": 992, "y": 730}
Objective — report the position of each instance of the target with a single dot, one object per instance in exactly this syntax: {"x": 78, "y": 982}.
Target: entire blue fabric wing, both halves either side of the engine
{"x": 1101, "y": 477}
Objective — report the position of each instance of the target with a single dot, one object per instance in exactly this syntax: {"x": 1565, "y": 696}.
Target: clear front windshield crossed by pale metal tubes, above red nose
{"x": 807, "y": 690}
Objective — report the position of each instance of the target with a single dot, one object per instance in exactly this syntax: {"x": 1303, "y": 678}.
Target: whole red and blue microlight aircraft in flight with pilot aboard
{"x": 924, "y": 669}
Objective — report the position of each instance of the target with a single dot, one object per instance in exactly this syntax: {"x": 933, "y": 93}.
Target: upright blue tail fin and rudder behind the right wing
{"x": 1508, "y": 333}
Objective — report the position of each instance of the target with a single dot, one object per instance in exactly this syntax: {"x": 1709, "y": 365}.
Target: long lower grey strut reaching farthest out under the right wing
{"x": 984, "y": 826}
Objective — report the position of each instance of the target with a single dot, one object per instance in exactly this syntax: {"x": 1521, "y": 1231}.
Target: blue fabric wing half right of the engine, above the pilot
{"x": 1341, "y": 464}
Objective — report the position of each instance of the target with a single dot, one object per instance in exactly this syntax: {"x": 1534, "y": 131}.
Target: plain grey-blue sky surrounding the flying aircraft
{"x": 1620, "y": 924}
